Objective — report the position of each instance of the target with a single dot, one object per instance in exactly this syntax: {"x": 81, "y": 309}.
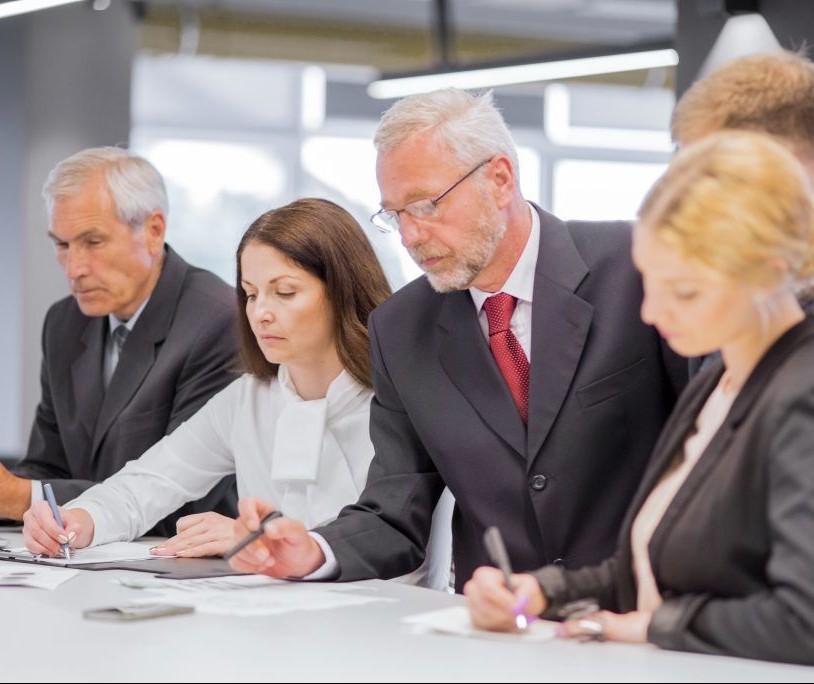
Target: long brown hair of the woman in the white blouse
{"x": 325, "y": 240}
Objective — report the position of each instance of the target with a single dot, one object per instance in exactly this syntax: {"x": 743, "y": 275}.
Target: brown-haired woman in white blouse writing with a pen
{"x": 294, "y": 428}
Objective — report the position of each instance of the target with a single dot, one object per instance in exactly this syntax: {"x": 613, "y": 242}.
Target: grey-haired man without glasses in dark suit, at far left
{"x": 142, "y": 343}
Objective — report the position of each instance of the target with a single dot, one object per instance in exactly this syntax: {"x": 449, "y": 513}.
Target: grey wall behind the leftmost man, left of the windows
{"x": 64, "y": 85}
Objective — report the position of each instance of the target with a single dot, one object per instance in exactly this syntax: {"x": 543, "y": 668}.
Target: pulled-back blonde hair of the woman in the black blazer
{"x": 737, "y": 202}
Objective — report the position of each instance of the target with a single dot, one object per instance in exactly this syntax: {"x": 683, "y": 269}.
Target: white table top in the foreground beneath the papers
{"x": 45, "y": 638}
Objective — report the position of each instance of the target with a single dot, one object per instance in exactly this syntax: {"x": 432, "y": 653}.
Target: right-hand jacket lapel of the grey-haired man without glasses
{"x": 141, "y": 348}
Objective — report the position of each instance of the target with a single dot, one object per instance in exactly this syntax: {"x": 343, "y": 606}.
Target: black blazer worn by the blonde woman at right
{"x": 733, "y": 556}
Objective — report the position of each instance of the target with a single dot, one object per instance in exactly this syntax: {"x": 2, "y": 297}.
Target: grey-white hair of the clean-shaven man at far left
{"x": 135, "y": 186}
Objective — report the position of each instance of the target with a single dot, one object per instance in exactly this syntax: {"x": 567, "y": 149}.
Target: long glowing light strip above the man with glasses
{"x": 522, "y": 73}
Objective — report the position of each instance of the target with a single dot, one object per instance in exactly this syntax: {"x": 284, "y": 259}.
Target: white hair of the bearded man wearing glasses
{"x": 470, "y": 125}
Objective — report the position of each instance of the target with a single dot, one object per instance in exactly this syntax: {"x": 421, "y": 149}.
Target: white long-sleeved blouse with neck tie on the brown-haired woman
{"x": 308, "y": 457}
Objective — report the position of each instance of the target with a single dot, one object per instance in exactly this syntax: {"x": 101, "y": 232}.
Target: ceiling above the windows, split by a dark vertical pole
{"x": 394, "y": 35}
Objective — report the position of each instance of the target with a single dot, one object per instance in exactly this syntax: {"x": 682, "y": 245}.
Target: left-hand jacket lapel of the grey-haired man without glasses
{"x": 86, "y": 374}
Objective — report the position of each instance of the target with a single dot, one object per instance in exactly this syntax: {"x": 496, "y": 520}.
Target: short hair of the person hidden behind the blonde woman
{"x": 771, "y": 92}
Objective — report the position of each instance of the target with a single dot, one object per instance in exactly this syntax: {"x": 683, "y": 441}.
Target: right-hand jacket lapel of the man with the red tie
{"x": 559, "y": 327}
